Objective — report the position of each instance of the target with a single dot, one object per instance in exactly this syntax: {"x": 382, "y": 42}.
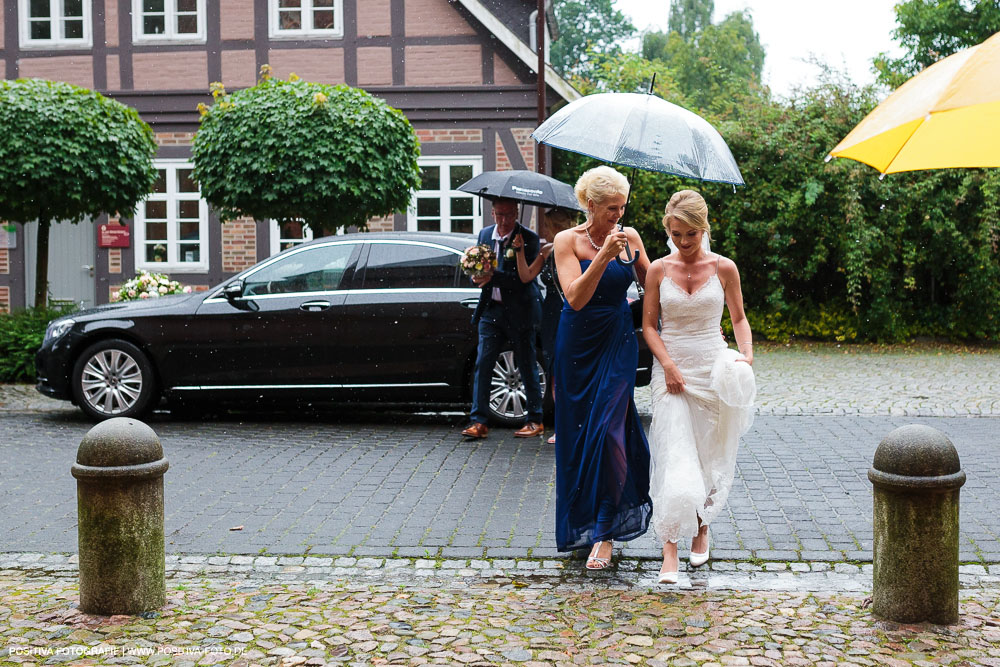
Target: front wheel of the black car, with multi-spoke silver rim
{"x": 113, "y": 378}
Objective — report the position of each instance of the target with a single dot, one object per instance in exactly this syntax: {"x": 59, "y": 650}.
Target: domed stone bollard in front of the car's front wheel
{"x": 119, "y": 471}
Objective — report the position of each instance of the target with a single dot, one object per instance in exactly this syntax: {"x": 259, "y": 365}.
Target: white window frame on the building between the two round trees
{"x": 172, "y": 196}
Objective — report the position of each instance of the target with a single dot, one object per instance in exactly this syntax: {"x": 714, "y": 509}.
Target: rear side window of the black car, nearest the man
{"x": 398, "y": 265}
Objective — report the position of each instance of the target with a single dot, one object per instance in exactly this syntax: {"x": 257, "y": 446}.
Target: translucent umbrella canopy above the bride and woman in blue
{"x": 641, "y": 131}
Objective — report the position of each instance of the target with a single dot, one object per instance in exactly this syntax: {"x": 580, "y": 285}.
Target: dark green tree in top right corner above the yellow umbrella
{"x": 929, "y": 30}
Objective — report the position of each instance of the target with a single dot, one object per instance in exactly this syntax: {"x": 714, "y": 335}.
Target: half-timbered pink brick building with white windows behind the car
{"x": 463, "y": 72}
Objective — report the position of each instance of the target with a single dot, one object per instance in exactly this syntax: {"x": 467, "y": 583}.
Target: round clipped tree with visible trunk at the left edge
{"x": 68, "y": 153}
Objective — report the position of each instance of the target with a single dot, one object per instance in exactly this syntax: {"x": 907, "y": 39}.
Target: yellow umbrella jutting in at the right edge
{"x": 946, "y": 116}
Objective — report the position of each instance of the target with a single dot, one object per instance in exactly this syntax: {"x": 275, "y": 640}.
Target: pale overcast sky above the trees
{"x": 846, "y": 34}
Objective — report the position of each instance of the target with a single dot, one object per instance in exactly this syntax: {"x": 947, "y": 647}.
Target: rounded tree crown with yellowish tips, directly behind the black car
{"x": 333, "y": 156}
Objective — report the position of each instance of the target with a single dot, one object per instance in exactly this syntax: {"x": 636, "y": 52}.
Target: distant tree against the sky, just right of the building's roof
{"x": 587, "y": 27}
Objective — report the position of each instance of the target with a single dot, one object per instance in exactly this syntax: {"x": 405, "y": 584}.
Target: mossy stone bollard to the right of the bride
{"x": 916, "y": 476}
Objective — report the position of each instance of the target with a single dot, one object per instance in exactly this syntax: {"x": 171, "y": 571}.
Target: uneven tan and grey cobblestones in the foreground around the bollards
{"x": 456, "y": 618}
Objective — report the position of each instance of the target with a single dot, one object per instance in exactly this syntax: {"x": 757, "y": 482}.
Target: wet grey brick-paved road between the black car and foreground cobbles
{"x": 411, "y": 487}
